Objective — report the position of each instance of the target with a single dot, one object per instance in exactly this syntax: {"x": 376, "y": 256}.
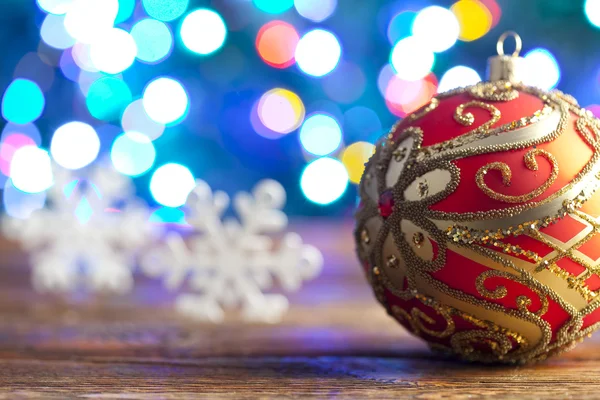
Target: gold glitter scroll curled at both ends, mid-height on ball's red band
{"x": 531, "y": 164}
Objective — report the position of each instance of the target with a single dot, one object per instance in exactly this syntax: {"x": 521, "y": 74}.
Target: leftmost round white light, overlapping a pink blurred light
{"x": 31, "y": 169}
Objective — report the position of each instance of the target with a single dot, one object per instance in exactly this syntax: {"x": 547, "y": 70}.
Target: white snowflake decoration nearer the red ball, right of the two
{"x": 231, "y": 263}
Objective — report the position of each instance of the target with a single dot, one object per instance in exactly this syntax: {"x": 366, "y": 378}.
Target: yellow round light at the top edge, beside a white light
{"x": 474, "y": 18}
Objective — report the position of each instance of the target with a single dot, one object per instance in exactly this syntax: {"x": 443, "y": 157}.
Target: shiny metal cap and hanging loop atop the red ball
{"x": 509, "y": 68}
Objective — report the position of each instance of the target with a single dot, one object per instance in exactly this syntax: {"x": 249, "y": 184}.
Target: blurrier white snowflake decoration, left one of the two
{"x": 78, "y": 238}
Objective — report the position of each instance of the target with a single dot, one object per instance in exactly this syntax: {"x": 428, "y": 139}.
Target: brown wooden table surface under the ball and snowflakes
{"x": 335, "y": 342}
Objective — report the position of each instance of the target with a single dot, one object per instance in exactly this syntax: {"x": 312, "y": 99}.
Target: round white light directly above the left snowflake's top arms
{"x": 74, "y": 145}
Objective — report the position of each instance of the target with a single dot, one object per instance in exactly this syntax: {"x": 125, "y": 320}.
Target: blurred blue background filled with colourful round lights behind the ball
{"x": 234, "y": 91}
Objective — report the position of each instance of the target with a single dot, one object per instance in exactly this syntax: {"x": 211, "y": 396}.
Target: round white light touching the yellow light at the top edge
{"x": 436, "y": 27}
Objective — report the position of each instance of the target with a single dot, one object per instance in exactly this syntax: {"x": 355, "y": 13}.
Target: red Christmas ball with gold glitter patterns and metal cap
{"x": 478, "y": 226}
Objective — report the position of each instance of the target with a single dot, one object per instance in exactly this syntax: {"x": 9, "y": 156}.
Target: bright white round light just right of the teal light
{"x": 165, "y": 100}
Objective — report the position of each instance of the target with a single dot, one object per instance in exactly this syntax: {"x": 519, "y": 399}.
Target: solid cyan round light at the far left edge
{"x": 23, "y": 102}
